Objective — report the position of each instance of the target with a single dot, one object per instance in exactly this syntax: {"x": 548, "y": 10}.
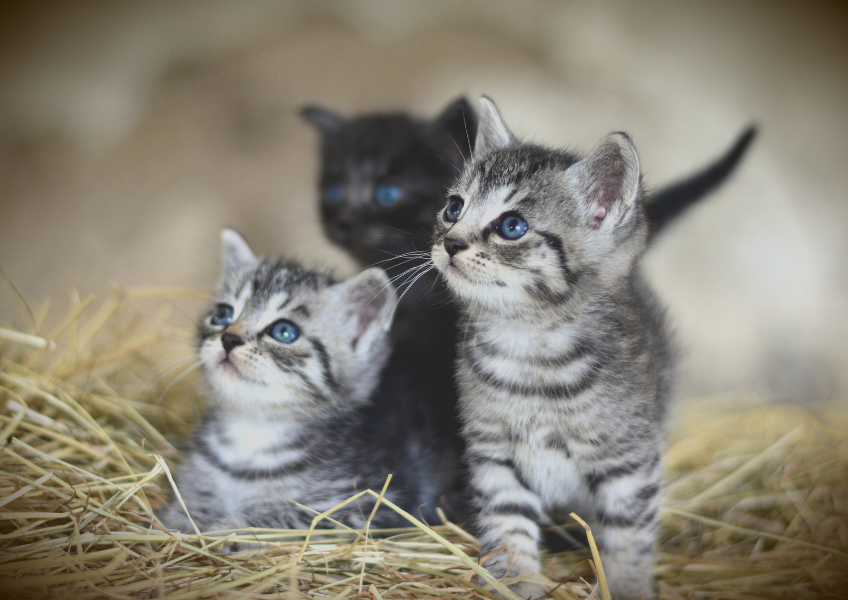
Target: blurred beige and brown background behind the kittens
{"x": 131, "y": 133}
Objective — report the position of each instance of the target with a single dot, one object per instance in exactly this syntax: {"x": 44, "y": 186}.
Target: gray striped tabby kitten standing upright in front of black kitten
{"x": 564, "y": 364}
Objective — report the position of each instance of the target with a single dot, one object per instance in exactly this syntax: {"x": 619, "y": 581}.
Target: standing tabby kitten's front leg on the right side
{"x": 627, "y": 508}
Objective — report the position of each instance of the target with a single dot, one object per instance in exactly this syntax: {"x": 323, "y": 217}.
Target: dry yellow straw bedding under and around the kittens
{"x": 756, "y": 506}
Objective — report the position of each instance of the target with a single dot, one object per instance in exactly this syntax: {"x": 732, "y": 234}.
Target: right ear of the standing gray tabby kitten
{"x": 609, "y": 179}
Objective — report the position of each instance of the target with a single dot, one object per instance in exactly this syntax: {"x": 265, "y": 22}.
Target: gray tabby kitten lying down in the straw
{"x": 292, "y": 366}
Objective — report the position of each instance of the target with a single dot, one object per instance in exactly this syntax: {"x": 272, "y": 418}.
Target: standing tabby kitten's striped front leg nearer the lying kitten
{"x": 507, "y": 518}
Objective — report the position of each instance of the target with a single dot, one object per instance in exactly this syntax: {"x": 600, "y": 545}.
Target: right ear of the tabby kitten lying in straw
{"x": 370, "y": 301}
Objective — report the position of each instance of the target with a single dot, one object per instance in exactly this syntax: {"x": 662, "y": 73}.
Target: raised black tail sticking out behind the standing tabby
{"x": 673, "y": 200}
